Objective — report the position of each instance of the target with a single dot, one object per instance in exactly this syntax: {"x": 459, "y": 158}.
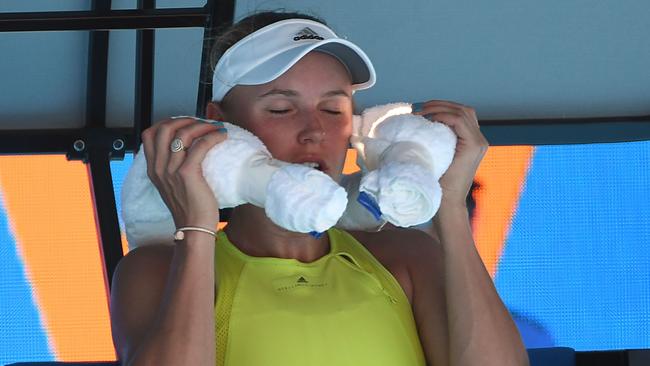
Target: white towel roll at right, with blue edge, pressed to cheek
{"x": 402, "y": 157}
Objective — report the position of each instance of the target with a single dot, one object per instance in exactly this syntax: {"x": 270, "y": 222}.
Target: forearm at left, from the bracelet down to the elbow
{"x": 183, "y": 333}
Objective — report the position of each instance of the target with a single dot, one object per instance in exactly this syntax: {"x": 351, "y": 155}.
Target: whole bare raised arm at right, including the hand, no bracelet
{"x": 479, "y": 328}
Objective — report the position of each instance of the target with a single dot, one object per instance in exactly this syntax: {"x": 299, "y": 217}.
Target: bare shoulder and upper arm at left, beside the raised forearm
{"x": 136, "y": 292}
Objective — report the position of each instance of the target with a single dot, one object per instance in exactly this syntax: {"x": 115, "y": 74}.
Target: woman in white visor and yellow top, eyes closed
{"x": 395, "y": 297}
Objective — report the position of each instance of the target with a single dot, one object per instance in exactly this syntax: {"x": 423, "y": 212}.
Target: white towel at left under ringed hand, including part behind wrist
{"x": 239, "y": 170}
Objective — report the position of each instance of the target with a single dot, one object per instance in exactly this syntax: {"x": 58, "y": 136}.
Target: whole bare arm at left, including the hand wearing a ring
{"x": 162, "y": 309}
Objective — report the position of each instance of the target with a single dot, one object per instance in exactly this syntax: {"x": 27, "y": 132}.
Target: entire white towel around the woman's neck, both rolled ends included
{"x": 402, "y": 157}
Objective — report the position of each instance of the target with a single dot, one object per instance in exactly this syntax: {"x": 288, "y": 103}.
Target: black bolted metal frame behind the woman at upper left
{"x": 97, "y": 144}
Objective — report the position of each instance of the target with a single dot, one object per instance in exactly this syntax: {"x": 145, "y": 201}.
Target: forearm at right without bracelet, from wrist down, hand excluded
{"x": 481, "y": 331}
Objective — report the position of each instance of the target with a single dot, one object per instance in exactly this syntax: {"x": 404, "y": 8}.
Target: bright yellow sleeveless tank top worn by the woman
{"x": 343, "y": 309}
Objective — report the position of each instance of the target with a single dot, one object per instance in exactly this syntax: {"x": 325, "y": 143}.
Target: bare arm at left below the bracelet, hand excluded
{"x": 162, "y": 310}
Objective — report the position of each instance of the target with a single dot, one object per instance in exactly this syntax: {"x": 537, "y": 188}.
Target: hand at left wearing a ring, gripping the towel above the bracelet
{"x": 178, "y": 175}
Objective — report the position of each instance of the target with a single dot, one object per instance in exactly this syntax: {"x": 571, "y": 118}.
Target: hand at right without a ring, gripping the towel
{"x": 470, "y": 148}
